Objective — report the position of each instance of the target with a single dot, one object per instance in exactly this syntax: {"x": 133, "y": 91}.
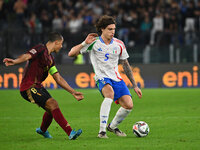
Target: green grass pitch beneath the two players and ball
{"x": 172, "y": 114}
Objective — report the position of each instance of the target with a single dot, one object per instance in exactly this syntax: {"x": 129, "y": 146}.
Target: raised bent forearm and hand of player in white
{"x": 76, "y": 49}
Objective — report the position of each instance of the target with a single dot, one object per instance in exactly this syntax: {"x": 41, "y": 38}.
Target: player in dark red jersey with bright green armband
{"x": 40, "y": 62}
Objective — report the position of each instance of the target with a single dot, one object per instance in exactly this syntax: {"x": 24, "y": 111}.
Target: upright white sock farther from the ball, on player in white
{"x": 104, "y": 113}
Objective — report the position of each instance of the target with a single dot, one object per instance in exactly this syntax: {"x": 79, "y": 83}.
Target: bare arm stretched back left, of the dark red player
{"x": 20, "y": 59}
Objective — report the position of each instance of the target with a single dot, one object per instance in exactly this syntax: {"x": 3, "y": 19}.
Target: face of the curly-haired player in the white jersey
{"x": 109, "y": 31}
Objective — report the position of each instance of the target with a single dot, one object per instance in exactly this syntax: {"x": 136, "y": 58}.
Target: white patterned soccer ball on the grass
{"x": 141, "y": 129}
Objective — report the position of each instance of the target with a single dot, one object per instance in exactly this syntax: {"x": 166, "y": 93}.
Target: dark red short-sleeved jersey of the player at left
{"x": 36, "y": 69}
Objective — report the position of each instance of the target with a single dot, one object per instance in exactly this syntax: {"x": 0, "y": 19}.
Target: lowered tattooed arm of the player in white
{"x": 129, "y": 74}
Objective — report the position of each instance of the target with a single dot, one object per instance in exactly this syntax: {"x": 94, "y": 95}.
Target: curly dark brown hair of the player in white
{"x": 103, "y": 22}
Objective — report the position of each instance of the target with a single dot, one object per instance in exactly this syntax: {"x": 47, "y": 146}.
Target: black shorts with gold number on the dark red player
{"x": 36, "y": 95}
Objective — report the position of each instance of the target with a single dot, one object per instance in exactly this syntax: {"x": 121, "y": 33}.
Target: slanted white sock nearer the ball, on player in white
{"x": 119, "y": 117}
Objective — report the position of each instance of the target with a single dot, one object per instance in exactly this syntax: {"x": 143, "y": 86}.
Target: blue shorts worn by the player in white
{"x": 120, "y": 88}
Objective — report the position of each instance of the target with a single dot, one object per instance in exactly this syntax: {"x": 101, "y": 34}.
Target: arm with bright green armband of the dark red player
{"x": 60, "y": 81}
